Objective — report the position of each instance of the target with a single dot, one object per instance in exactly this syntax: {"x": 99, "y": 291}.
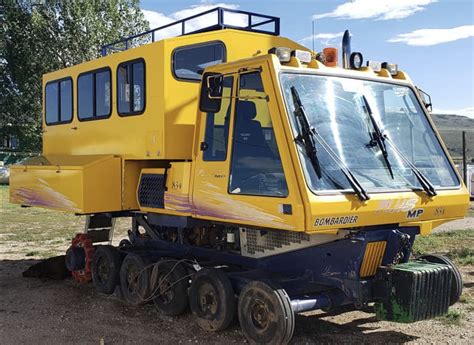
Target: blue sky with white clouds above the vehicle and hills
{"x": 431, "y": 40}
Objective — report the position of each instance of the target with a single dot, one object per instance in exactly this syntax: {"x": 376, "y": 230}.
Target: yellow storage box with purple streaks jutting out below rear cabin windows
{"x": 84, "y": 184}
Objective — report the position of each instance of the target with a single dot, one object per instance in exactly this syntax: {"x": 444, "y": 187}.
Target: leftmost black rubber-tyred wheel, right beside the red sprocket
{"x": 106, "y": 268}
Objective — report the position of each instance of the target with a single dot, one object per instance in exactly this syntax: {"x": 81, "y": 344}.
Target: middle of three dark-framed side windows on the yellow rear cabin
{"x": 94, "y": 95}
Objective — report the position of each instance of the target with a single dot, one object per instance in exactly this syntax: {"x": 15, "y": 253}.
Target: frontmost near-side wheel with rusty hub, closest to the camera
{"x": 265, "y": 314}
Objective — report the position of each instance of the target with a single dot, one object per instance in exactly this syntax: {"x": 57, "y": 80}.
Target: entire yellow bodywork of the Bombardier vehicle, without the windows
{"x": 100, "y": 161}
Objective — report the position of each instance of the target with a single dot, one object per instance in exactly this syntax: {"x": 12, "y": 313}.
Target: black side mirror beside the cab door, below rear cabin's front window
{"x": 211, "y": 92}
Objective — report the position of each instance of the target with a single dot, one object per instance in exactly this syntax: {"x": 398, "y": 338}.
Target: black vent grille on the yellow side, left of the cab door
{"x": 151, "y": 191}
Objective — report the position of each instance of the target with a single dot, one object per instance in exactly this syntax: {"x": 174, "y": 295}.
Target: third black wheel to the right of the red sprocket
{"x": 170, "y": 282}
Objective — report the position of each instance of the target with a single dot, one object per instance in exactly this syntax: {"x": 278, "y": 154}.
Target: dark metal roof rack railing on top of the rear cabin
{"x": 251, "y": 26}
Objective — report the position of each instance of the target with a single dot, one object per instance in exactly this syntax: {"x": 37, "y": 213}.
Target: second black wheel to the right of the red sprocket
{"x": 134, "y": 279}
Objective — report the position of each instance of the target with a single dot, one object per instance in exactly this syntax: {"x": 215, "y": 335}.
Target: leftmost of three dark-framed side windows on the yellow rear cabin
{"x": 58, "y": 101}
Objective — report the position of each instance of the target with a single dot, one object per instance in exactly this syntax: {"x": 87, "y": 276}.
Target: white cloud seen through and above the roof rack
{"x": 157, "y": 19}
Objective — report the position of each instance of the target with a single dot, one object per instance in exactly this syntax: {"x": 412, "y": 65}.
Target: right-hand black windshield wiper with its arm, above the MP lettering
{"x": 379, "y": 138}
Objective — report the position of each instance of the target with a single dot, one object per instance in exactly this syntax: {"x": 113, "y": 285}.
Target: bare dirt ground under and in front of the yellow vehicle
{"x": 45, "y": 312}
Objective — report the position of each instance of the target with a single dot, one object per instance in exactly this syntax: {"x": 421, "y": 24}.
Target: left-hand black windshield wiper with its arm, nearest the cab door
{"x": 307, "y": 135}
